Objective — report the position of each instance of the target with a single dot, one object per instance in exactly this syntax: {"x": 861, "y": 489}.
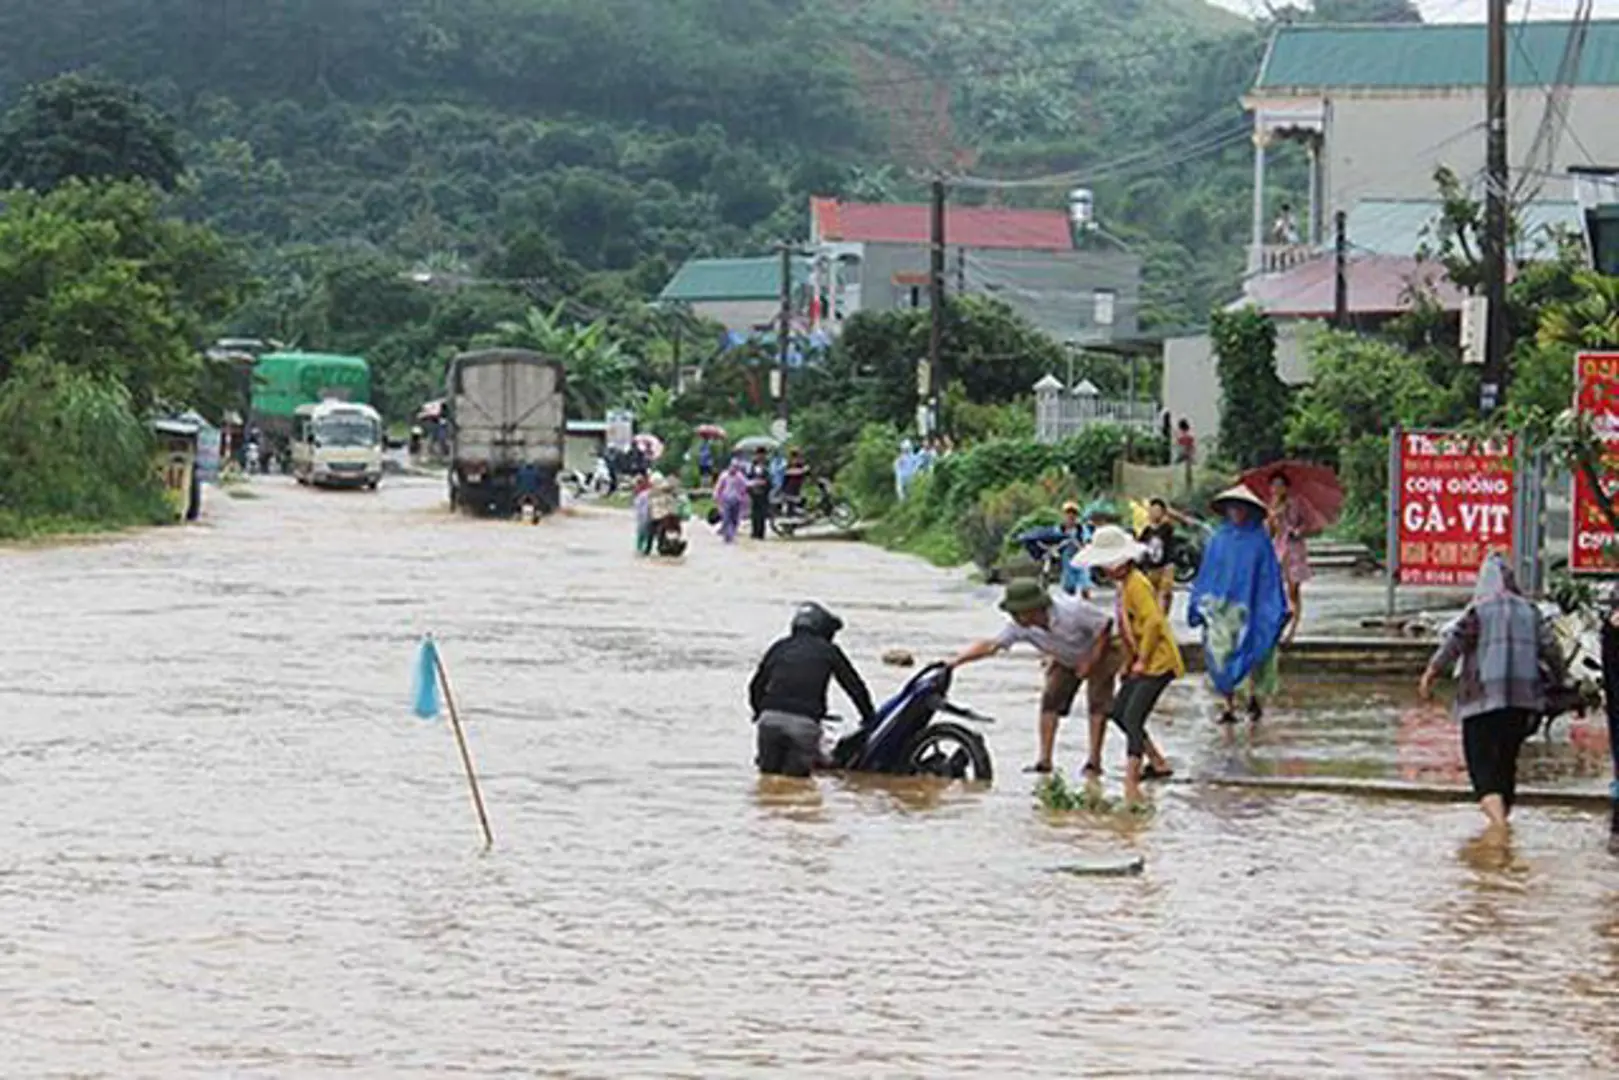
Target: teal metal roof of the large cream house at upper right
{"x": 1417, "y": 57}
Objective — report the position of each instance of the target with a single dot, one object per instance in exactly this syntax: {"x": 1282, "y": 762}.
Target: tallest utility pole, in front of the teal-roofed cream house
{"x": 1495, "y": 211}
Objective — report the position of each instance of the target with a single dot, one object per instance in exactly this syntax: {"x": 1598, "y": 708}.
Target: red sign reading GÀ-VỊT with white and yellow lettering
{"x": 1456, "y": 506}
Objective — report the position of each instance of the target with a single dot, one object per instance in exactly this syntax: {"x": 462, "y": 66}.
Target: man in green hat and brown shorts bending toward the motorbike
{"x": 1076, "y": 637}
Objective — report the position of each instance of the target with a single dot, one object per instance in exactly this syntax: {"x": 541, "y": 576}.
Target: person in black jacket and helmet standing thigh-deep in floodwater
{"x": 788, "y": 692}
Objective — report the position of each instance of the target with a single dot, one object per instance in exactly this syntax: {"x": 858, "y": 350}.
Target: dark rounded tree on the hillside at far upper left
{"x": 79, "y": 129}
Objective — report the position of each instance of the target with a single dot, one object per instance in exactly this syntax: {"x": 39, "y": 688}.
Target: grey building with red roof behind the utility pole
{"x": 873, "y": 257}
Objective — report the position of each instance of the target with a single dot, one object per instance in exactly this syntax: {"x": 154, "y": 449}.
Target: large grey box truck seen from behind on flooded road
{"x": 508, "y": 432}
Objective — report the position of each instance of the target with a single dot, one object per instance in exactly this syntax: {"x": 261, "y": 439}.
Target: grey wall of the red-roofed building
{"x": 1052, "y": 289}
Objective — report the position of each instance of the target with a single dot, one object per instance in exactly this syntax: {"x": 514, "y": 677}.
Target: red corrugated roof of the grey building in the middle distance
{"x": 964, "y": 226}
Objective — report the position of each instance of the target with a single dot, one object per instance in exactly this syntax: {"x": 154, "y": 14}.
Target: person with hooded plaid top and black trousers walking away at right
{"x": 1500, "y": 697}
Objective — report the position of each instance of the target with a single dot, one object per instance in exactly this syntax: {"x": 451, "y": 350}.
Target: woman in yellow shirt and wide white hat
{"x": 1154, "y": 658}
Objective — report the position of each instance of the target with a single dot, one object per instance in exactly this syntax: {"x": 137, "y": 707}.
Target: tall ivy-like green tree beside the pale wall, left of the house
{"x": 1254, "y": 399}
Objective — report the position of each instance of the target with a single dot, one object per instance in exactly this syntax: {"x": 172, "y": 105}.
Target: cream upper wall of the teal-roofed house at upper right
{"x": 1390, "y": 145}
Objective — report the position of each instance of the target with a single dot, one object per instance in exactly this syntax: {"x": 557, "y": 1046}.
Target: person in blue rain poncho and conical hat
{"x": 1241, "y": 605}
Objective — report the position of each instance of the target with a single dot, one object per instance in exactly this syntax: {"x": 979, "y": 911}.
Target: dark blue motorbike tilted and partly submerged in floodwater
{"x": 911, "y": 739}
